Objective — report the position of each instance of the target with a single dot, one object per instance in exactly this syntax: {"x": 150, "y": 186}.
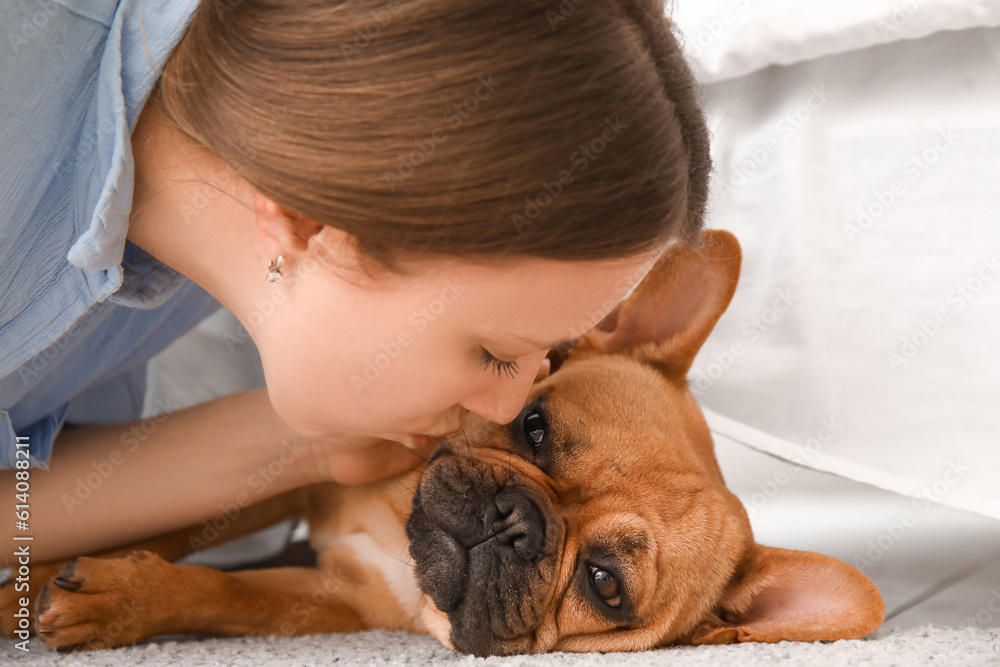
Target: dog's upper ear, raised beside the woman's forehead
{"x": 671, "y": 312}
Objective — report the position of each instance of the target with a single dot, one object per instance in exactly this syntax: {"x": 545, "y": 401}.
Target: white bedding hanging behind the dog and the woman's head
{"x": 863, "y": 182}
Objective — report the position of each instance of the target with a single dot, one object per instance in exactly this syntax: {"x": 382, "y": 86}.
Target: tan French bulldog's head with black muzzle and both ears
{"x": 598, "y": 519}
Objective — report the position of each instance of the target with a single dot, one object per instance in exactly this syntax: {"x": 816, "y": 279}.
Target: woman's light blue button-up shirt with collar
{"x": 81, "y": 309}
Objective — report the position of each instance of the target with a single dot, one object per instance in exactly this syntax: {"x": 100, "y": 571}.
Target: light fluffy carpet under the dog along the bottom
{"x": 905, "y": 647}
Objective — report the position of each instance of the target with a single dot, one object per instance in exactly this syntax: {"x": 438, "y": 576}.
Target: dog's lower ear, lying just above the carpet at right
{"x": 778, "y": 594}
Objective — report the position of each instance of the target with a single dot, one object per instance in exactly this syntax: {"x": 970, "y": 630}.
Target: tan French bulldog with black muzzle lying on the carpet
{"x": 596, "y": 521}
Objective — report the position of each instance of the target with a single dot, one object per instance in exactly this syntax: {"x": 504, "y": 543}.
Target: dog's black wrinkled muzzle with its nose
{"x": 482, "y": 554}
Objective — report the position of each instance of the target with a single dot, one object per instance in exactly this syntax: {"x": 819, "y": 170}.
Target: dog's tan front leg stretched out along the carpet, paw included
{"x": 103, "y": 603}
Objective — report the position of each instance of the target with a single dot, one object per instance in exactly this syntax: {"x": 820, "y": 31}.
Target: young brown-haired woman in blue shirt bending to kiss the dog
{"x": 406, "y": 204}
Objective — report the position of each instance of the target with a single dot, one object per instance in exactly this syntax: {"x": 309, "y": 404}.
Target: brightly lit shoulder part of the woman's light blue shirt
{"x": 73, "y": 80}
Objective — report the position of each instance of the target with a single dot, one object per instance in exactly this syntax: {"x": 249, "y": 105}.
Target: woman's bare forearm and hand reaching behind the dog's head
{"x": 111, "y": 485}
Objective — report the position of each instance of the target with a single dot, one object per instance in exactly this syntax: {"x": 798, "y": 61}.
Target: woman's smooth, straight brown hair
{"x": 567, "y": 130}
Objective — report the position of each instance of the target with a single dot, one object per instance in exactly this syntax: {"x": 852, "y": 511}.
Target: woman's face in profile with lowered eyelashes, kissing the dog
{"x": 409, "y": 355}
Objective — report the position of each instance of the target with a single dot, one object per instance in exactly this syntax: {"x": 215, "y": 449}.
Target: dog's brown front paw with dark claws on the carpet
{"x": 95, "y": 603}
